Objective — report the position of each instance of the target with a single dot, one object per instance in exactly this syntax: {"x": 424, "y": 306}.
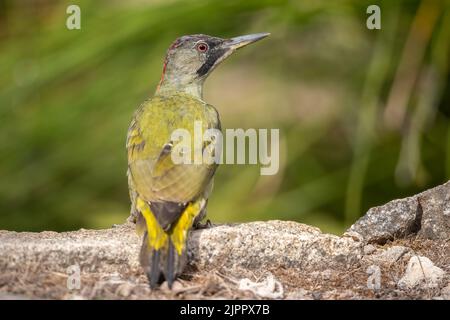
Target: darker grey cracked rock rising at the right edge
{"x": 426, "y": 214}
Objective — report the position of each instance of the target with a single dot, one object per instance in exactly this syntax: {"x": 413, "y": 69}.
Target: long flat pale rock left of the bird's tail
{"x": 106, "y": 251}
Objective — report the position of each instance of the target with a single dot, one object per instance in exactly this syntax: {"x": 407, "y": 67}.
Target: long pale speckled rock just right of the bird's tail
{"x": 246, "y": 246}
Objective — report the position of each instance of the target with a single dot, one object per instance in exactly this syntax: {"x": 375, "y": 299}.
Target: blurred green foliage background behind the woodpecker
{"x": 363, "y": 114}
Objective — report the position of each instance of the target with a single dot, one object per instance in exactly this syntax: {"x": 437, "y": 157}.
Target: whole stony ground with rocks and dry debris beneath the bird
{"x": 305, "y": 263}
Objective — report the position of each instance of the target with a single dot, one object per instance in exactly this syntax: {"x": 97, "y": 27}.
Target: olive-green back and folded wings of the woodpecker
{"x": 153, "y": 173}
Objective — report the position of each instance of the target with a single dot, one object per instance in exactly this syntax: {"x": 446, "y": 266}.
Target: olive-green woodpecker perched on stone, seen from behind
{"x": 169, "y": 199}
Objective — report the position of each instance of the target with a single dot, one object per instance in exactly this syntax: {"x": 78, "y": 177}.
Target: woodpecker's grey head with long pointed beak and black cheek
{"x": 190, "y": 59}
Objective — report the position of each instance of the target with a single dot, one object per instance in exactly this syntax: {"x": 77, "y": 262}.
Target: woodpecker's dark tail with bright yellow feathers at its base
{"x": 163, "y": 253}
